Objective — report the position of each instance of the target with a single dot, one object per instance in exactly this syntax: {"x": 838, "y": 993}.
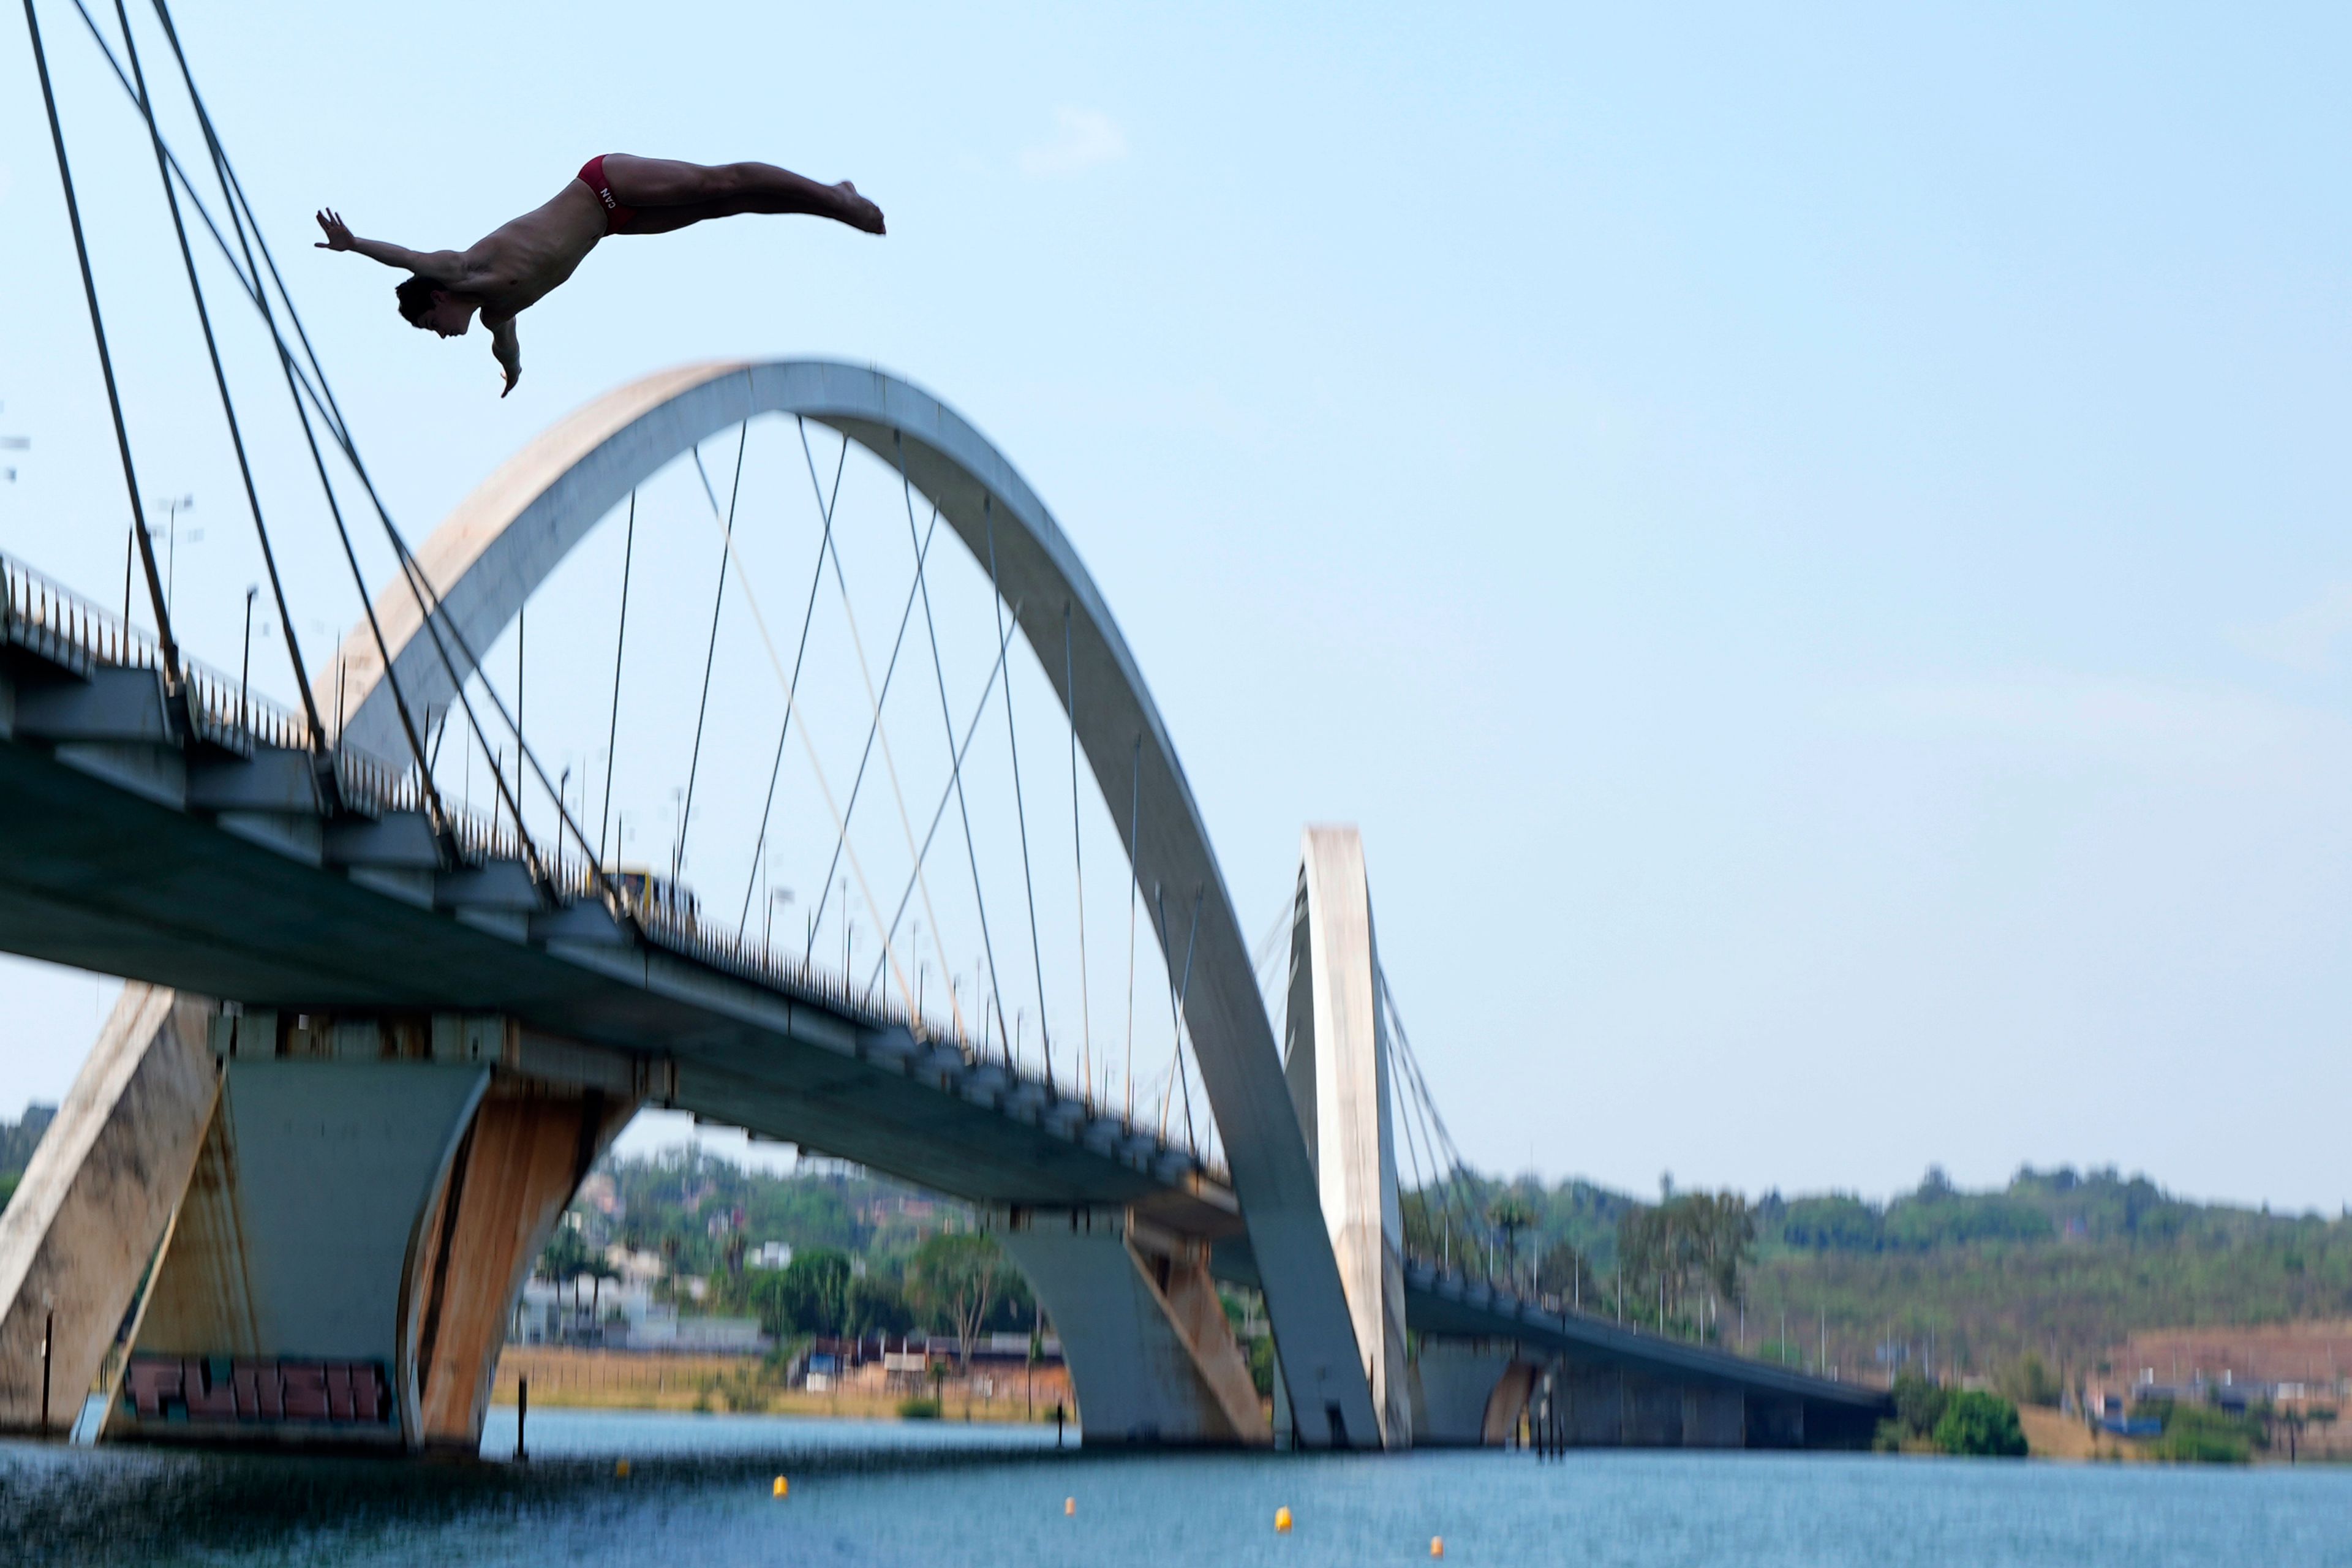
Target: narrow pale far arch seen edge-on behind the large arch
{"x": 1337, "y": 1066}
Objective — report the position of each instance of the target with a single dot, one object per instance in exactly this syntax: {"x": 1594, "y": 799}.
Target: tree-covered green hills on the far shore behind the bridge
{"x": 2059, "y": 1264}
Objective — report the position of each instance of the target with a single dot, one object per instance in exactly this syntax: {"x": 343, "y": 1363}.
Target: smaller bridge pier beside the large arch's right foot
{"x": 1142, "y": 1329}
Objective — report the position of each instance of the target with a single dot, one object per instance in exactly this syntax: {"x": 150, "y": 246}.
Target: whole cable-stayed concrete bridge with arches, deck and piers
{"x": 375, "y": 1038}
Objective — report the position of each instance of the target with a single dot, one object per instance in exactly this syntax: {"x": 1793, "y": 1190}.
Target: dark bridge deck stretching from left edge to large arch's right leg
{"x": 135, "y": 847}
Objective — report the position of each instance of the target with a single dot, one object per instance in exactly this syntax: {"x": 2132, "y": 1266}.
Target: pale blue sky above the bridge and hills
{"x": 1812, "y": 542}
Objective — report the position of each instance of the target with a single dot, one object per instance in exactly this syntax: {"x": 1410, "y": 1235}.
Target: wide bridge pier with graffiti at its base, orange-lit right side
{"x": 368, "y": 1200}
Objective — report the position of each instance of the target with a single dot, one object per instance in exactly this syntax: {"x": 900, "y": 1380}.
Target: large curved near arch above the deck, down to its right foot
{"x": 521, "y": 523}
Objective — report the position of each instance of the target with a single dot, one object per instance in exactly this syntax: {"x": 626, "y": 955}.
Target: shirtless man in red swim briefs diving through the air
{"x": 523, "y": 262}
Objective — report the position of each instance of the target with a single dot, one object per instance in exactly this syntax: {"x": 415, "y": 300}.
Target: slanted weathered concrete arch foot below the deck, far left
{"x": 98, "y": 1198}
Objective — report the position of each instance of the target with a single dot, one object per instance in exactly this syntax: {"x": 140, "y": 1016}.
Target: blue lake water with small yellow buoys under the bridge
{"x": 937, "y": 1494}
